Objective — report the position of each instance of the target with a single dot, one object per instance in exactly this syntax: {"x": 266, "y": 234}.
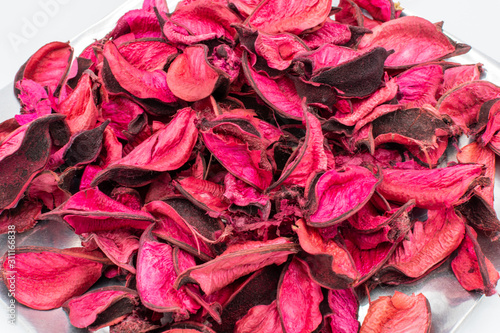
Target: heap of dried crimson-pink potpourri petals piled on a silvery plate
{"x": 251, "y": 166}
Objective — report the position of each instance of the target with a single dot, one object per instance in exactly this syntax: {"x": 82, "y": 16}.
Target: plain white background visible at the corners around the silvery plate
{"x": 27, "y": 25}
